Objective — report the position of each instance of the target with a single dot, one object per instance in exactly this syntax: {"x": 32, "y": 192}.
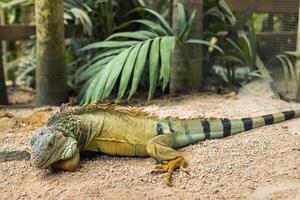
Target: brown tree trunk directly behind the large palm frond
{"x": 187, "y": 70}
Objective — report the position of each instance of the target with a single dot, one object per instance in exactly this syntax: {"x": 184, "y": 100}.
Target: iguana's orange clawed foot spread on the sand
{"x": 170, "y": 167}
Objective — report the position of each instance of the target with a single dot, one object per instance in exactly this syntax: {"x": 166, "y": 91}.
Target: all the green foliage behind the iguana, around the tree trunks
{"x": 123, "y": 53}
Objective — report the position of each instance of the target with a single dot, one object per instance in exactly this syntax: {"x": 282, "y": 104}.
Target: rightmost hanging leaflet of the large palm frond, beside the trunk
{"x": 166, "y": 48}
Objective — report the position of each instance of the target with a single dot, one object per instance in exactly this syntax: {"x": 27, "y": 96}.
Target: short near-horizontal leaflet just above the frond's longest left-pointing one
{"x": 138, "y": 35}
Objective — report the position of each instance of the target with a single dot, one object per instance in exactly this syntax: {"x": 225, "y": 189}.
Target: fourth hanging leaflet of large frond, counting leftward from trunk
{"x": 127, "y": 70}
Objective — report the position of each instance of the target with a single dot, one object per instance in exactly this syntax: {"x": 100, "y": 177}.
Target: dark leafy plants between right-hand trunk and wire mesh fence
{"x": 238, "y": 64}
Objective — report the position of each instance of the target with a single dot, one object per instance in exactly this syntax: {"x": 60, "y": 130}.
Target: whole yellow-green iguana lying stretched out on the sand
{"x": 125, "y": 131}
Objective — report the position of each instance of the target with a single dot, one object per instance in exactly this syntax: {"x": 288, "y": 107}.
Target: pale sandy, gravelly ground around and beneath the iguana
{"x": 260, "y": 164}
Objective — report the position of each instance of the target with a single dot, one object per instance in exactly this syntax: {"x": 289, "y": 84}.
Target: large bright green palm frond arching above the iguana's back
{"x": 124, "y": 56}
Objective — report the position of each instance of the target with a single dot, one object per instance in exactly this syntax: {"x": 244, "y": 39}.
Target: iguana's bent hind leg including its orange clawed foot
{"x": 160, "y": 148}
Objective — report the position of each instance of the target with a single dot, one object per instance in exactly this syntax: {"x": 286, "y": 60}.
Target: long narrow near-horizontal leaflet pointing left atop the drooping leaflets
{"x": 108, "y": 44}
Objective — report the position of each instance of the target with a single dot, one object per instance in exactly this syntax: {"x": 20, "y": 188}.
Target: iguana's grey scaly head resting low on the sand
{"x": 49, "y": 145}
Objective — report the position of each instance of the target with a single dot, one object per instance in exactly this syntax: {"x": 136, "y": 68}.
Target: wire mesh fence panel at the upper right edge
{"x": 276, "y": 28}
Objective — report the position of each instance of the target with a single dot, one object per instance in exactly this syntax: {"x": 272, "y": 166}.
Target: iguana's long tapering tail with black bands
{"x": 191, "y": 131}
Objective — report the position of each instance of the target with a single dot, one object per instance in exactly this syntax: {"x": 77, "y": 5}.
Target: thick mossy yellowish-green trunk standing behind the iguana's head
{"x": 51, "y": 72}
